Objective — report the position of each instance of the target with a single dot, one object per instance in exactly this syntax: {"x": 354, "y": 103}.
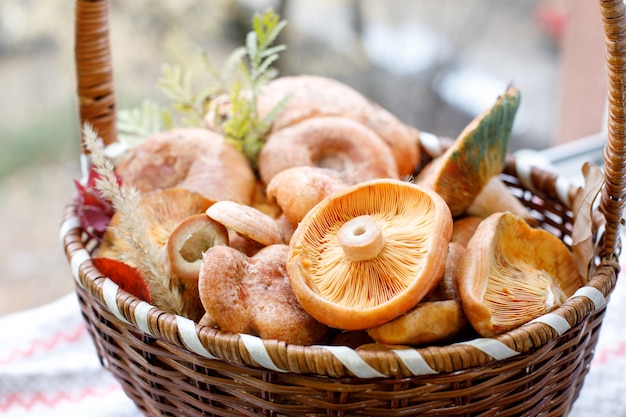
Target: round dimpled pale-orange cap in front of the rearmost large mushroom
{"x": 328, "y": 142}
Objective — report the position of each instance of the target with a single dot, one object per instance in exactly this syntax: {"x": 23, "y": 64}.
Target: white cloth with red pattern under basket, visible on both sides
{"x": 49, "y": 367}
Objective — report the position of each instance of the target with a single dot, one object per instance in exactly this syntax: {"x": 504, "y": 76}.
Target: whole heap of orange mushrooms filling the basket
{"x": 344, "y": 235}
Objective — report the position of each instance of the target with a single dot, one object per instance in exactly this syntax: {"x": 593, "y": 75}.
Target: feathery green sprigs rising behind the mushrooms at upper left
{"x": 246, "y": 70}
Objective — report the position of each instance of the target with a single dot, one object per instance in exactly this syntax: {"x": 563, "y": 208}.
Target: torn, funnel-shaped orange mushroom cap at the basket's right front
{"x": 512, "y": 273}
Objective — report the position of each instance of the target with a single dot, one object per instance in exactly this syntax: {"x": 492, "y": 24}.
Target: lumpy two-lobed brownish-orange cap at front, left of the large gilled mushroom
{"x": 252, "y": 295}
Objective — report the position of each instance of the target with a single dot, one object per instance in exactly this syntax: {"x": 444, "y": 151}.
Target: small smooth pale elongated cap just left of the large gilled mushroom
{"x": 247, "y": 221}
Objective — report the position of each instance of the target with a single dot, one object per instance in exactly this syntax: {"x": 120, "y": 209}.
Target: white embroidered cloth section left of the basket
{"x": 49, "y": 367}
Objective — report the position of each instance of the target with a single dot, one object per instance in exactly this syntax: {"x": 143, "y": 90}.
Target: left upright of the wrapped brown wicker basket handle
{"x": 94, "y": 70}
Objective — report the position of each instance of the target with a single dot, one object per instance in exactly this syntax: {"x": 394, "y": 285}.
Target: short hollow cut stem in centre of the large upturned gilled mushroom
{"x": 361, "y": 238}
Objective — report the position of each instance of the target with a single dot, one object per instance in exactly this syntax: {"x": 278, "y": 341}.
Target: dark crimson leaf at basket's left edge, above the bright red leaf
{"x": 94, "y": 211}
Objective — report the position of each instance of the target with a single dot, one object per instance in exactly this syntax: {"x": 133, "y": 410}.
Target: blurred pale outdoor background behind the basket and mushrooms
{"x": 435, "y": 64}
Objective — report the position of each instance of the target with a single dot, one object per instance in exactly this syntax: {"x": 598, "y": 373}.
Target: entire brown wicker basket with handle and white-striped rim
{"x": 169, "y": 365}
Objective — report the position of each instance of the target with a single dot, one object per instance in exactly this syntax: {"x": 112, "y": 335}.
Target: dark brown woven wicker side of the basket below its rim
{"x": 162, "y": 381}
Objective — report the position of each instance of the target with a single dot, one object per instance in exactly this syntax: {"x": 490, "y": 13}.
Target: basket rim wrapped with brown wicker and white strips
{"x": 341, "y": 361}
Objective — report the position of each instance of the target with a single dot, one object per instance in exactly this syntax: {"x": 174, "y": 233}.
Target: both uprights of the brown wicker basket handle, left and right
{"x": 98, "y": 106}
